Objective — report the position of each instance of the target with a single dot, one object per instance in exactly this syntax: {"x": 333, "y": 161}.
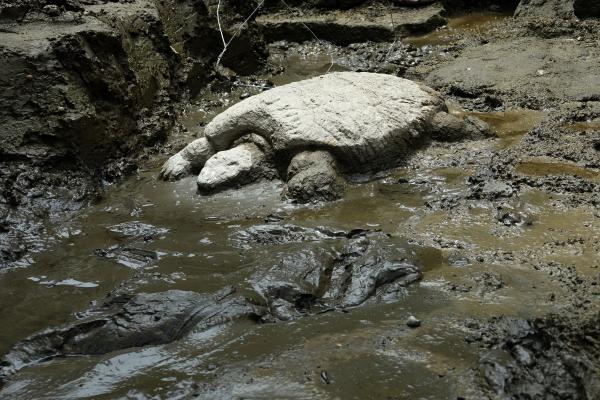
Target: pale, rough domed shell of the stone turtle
{"x": 363, "y": 119}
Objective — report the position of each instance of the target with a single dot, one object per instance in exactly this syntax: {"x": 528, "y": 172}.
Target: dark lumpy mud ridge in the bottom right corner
{"x": 556, "y": 357}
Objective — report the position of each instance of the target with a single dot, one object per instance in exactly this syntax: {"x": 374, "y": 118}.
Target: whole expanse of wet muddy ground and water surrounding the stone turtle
{"x": 491, "y": 243}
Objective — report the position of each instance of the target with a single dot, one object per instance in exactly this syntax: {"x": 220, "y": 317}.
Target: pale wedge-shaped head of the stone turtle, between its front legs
{"x": 236, "y": 167}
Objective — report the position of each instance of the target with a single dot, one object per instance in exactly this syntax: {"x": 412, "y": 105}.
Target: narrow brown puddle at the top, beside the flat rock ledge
{"x": 457, "y": 28}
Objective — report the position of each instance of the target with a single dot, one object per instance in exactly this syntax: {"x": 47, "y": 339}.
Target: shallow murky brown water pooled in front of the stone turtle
{"x": 474, "y": 267}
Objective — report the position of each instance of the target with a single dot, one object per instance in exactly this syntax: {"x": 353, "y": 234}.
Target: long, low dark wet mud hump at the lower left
{"x": 130, "y": 321}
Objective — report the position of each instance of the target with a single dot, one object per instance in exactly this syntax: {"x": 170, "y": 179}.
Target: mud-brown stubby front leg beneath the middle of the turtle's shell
{"x": 313, "y": 176}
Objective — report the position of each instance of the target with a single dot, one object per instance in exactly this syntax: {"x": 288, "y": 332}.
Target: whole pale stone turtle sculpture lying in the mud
{"x": 312, "y": 132}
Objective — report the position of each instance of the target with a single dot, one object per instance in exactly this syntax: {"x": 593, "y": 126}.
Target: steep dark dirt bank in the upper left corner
{"x": 87, "y": 89}
